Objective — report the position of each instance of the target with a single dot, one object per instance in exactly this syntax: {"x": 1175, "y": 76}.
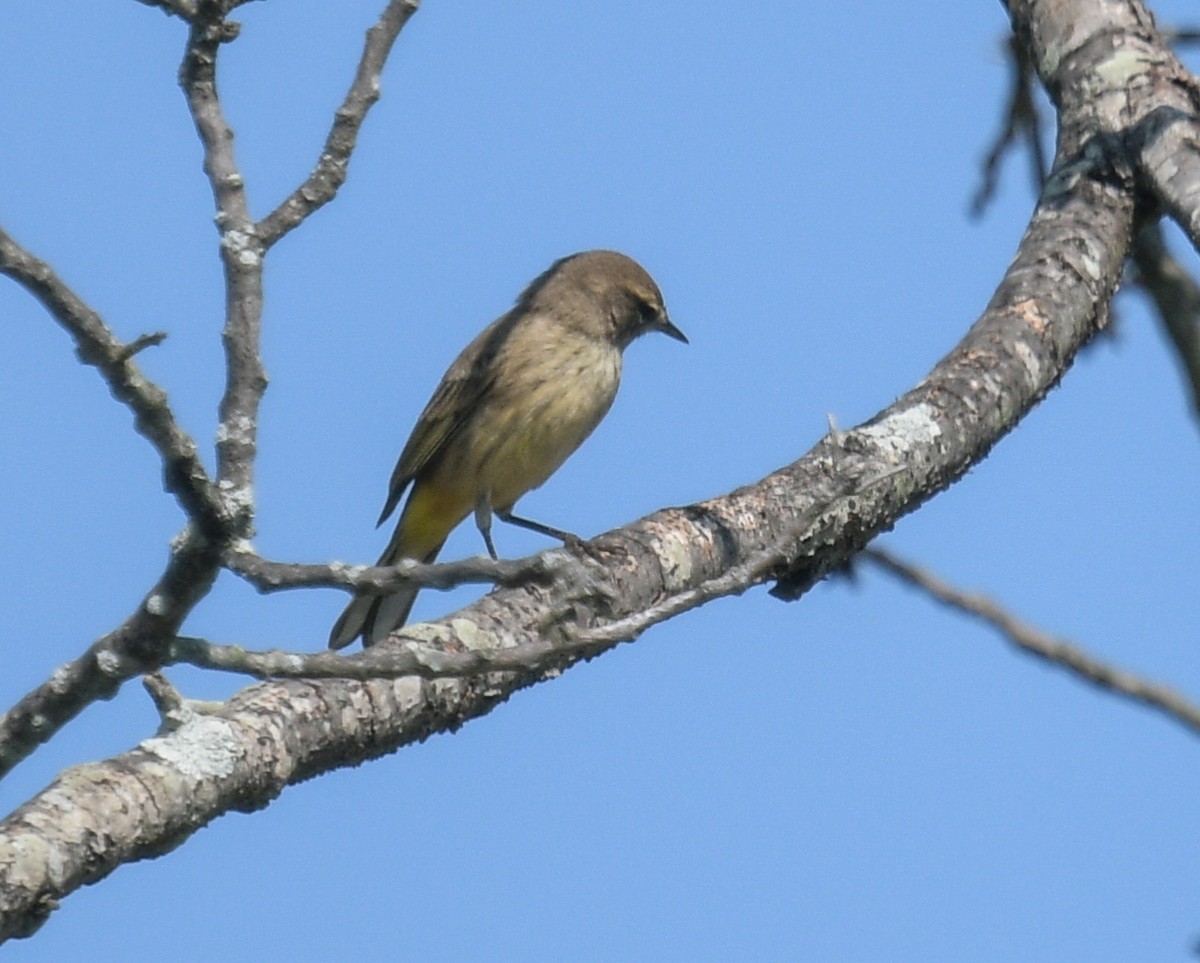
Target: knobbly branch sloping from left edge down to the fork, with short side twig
{"x": 184, "y": 475}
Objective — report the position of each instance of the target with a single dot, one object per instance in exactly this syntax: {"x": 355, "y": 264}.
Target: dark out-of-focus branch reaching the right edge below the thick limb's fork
{"x": 1178, "y": 298}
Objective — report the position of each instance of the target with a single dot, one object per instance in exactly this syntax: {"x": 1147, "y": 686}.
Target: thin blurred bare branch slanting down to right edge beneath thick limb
{"x": 1035, "y": 643}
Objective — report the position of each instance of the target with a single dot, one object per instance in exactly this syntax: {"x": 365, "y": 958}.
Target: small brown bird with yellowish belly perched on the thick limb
{"x": 520, "y": 399}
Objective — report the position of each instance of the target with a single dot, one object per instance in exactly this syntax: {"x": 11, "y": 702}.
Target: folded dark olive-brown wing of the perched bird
{"x": 458, "y": 397}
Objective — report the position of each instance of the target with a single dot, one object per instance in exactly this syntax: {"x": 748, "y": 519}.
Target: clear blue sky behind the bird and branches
{"x": 857, "y": 776}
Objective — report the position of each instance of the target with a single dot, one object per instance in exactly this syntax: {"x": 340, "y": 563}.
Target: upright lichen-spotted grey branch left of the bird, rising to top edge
{"x": 242, "y": 253}
